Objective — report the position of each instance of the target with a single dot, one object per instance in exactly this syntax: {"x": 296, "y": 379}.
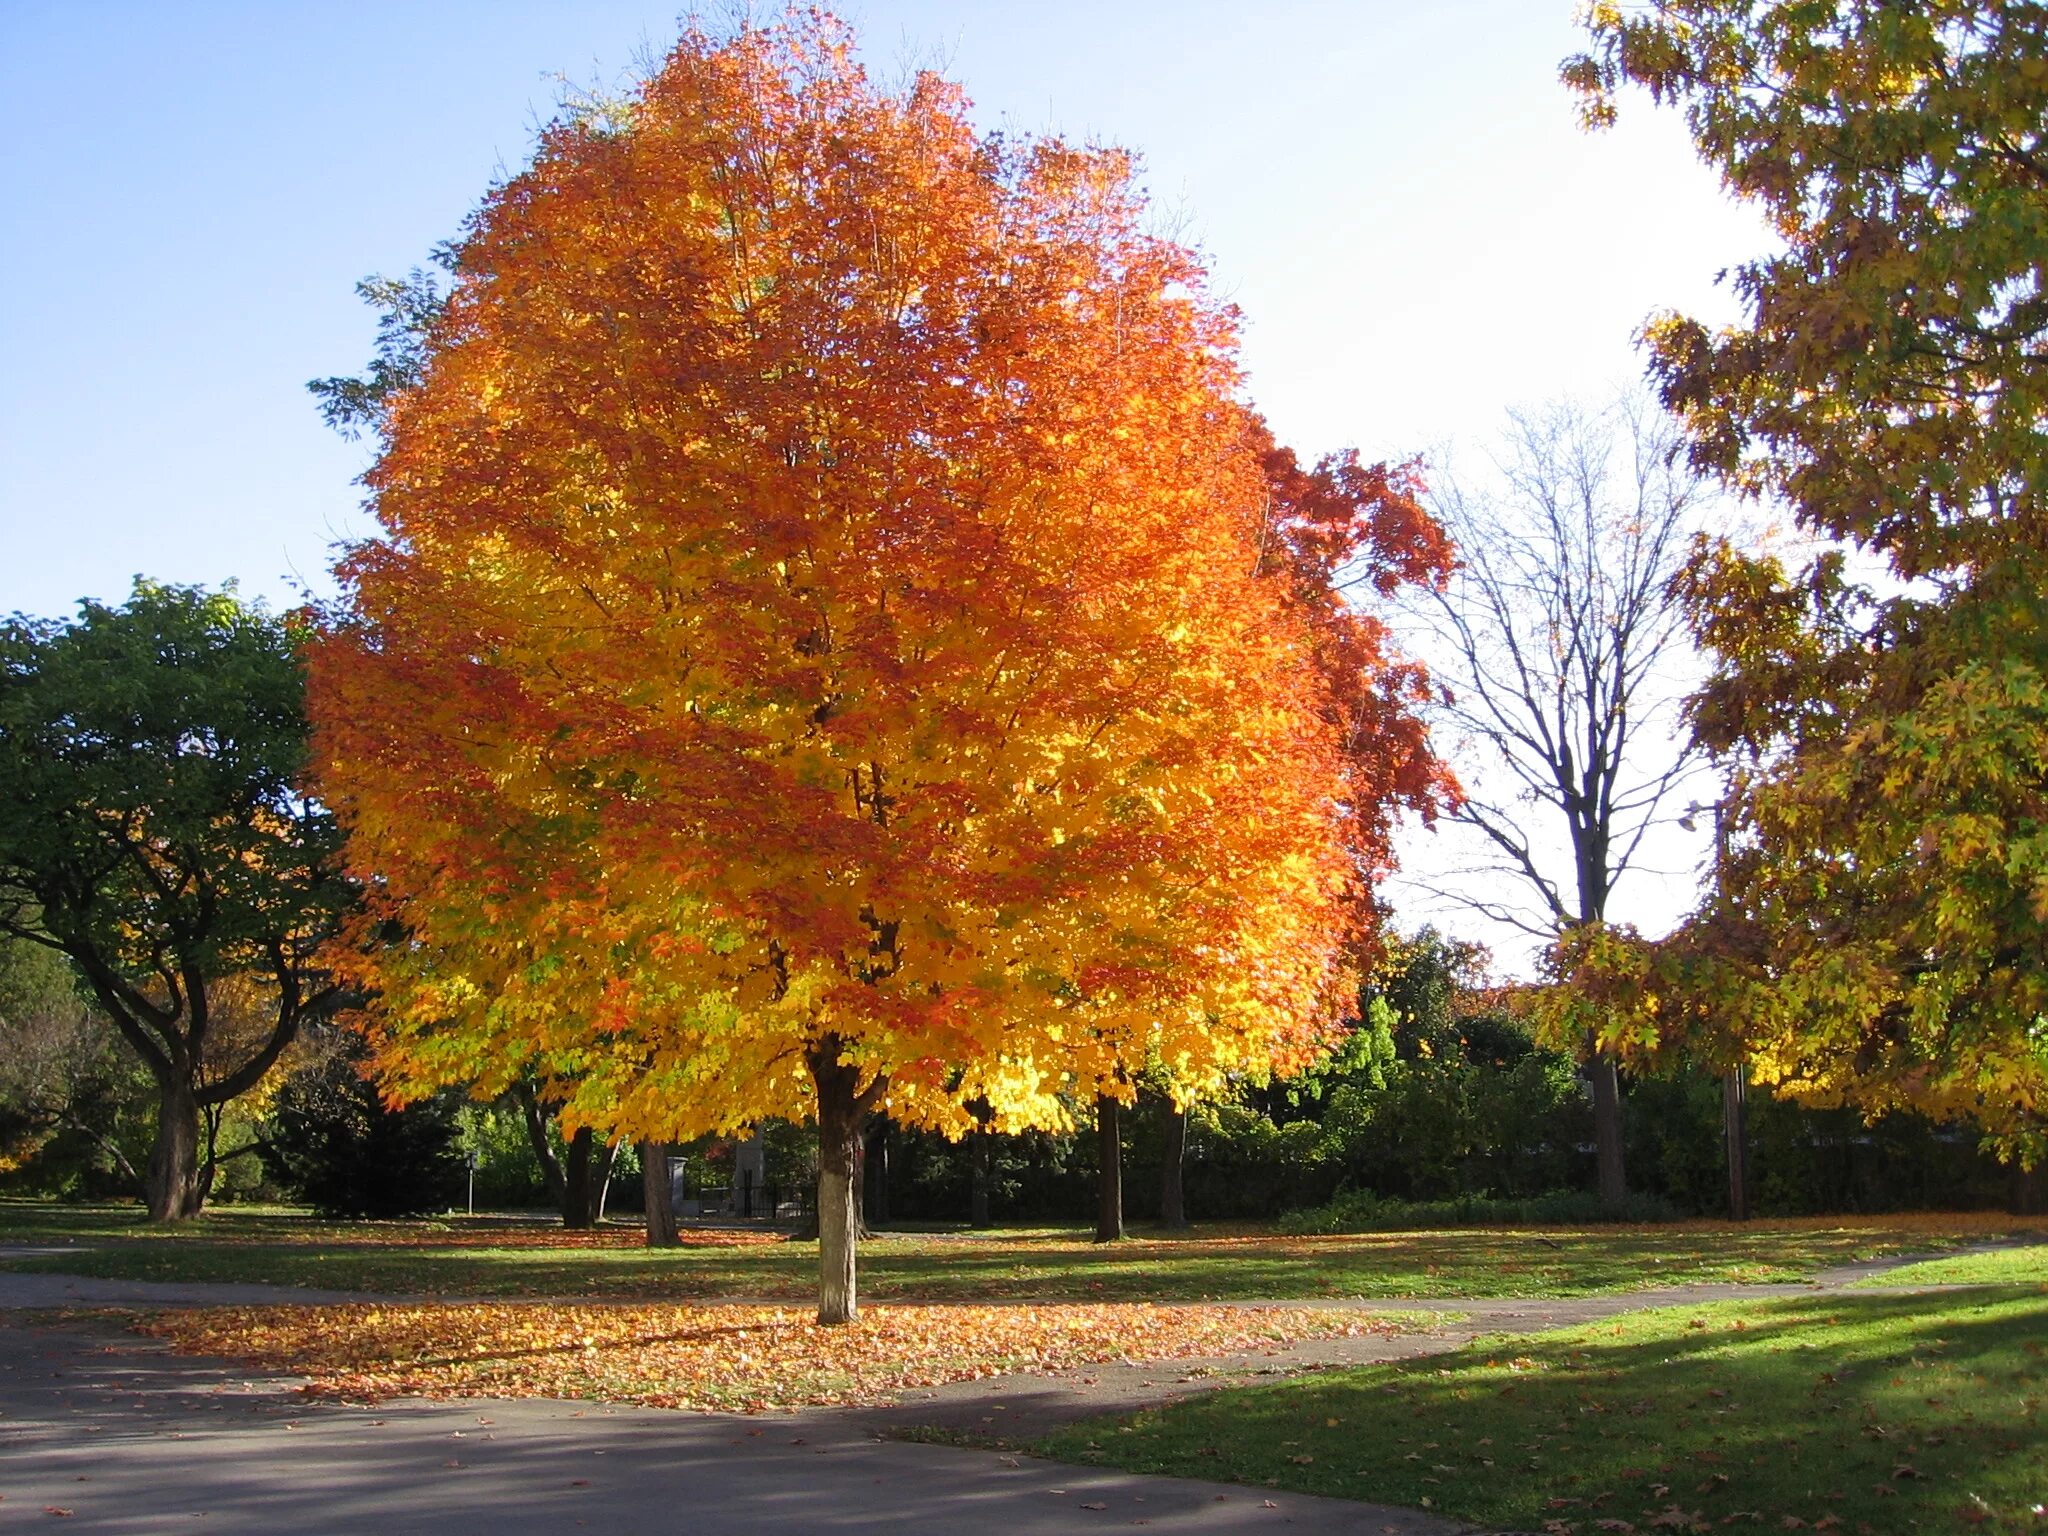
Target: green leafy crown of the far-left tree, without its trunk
{"x": 148, "y": 783}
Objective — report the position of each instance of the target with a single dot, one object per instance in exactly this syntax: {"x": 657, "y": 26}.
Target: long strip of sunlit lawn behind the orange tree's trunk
{"x": 497, "y": 1258}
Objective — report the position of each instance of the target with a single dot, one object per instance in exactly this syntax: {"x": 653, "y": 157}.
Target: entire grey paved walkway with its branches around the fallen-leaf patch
{"x": 124, "y": 1437}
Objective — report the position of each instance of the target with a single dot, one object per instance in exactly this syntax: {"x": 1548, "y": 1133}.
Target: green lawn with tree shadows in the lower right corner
{"x": 1844, "y": 1412}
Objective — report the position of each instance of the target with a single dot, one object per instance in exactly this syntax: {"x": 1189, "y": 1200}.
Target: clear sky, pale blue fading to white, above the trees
{"x": 1396, "y": 194}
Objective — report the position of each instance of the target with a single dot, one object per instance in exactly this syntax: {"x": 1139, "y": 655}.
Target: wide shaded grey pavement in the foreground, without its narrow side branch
{"x": 126, "y": 1439}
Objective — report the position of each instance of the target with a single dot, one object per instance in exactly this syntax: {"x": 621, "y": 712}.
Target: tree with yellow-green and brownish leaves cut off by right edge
{"x": 1881, "y": 910}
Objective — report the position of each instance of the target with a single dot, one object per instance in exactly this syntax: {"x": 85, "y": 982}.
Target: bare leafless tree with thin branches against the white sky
{"x": 1566, "y": 658}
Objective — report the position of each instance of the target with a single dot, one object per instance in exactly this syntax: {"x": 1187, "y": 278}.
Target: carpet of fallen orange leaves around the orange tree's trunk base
{"x": 724, "y": 1359}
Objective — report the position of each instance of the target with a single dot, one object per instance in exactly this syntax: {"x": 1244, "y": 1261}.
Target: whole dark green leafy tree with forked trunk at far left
{"x": 153, "y": 830}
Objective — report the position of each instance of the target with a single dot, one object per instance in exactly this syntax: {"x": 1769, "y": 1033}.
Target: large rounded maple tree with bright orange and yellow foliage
{"x": 839, "y": 640}
